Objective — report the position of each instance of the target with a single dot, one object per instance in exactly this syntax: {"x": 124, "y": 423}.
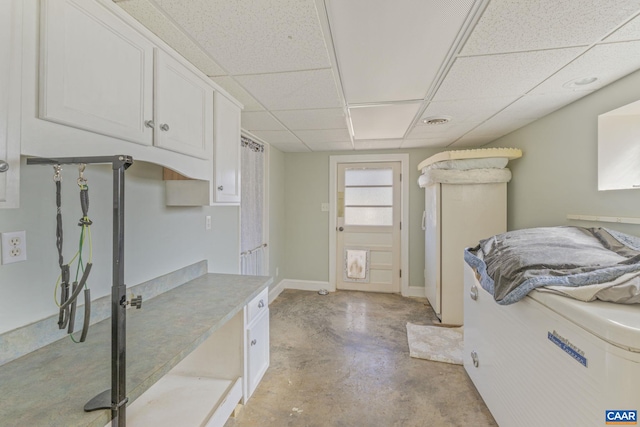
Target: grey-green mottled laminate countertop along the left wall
{"x": 50, "y": 386}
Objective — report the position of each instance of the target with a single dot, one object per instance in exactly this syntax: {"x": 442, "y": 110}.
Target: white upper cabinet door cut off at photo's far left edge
{"x": 10, "y": 67}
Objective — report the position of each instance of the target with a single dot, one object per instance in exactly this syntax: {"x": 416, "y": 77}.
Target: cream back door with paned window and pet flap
{"x": 368, "y": 227}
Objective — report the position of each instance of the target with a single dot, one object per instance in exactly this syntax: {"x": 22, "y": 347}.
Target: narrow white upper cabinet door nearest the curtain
{"x": 226, "y": 154}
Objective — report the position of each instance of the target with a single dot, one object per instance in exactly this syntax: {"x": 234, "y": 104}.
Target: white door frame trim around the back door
{"x": 403, "y": 158}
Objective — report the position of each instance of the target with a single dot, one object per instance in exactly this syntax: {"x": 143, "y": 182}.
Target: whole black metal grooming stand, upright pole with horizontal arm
{"x": 115, "y": 398}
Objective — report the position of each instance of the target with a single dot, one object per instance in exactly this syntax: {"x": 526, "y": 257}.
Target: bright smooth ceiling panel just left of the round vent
{"x": 382, "y": 121}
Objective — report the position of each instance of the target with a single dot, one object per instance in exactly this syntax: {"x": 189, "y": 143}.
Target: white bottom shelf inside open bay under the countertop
{"x": 181, "y": 400}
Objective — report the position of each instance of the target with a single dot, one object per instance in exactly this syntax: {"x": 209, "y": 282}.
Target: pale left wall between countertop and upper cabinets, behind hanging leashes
{"x": 158, "y": 239}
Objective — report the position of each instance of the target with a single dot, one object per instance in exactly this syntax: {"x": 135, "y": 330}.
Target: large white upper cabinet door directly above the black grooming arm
{"x": 96, "y": 71}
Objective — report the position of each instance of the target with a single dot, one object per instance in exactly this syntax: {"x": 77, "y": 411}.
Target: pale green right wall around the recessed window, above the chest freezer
{"x": 558, "y": 173}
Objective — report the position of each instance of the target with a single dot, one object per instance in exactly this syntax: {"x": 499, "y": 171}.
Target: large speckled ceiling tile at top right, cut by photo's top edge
{"x": 524, "y": 25}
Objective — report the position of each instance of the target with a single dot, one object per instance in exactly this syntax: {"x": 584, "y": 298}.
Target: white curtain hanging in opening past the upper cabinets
{"x": 251, "y": 207}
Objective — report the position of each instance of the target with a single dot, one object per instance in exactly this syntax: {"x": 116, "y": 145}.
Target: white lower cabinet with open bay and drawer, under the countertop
{"x": 206, "y": 386}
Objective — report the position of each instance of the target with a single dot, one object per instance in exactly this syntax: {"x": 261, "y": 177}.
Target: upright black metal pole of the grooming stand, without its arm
{"x": 118, "y": 308}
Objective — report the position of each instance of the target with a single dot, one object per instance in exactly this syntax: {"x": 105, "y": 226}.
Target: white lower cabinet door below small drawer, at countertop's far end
{"x": 258, "y": 352}
